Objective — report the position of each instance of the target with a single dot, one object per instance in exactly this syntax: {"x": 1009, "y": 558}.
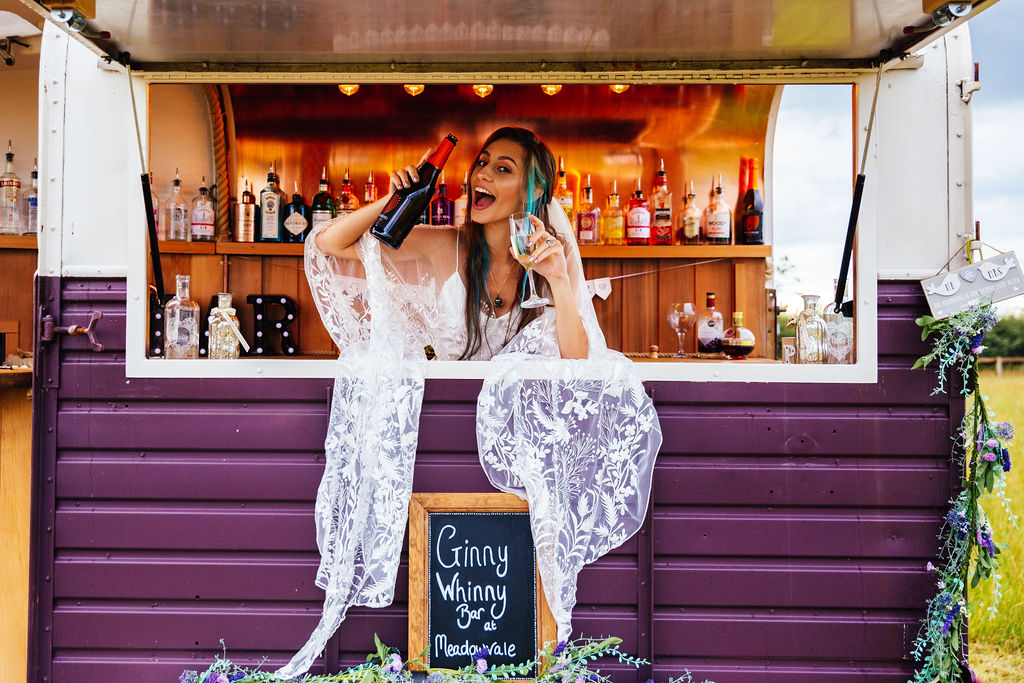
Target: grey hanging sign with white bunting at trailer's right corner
{"x": 993, "y": 280}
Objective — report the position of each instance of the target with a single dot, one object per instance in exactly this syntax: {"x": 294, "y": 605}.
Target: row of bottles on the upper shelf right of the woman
{"x": 644, "y": 221}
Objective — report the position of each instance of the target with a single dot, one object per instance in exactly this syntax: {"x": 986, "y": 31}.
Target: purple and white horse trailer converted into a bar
{"x": 794, "y": 507}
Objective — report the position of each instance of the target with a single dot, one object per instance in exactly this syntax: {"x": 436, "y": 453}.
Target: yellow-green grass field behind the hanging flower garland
{"x": 999, "y": 653}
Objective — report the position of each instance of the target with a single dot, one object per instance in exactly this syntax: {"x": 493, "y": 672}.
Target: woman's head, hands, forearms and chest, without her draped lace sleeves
{"x": 515, "y": 172}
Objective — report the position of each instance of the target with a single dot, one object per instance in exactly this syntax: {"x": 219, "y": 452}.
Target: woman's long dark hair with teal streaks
{"x": 539, "y": 165}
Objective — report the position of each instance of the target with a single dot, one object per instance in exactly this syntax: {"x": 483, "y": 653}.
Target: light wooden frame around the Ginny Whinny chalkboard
{"x": 420, "y": 507}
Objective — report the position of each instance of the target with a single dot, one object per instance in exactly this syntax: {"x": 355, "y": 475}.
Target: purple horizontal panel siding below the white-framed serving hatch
{"x": 789, "y": 534}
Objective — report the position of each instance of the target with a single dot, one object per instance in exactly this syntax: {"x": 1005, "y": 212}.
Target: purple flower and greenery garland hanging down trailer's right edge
{"x": 980, "y": 453}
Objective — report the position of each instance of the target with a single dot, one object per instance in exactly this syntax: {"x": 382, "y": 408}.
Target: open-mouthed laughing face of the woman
{"x": 497, "y": 182}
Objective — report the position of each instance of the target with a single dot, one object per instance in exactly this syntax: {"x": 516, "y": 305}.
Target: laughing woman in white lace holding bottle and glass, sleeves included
{"x": 579, "y": 445}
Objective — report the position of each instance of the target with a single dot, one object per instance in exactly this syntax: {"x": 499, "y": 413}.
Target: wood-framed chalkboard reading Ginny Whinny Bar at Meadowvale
{"x": 474, "y": 581}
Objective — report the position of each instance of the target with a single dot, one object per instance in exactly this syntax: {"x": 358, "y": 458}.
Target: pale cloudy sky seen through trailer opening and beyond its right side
{"x": 813, "y": 165}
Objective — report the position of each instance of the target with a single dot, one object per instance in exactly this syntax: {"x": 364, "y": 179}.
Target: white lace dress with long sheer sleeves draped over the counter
{"x": 579, "y": 445}
